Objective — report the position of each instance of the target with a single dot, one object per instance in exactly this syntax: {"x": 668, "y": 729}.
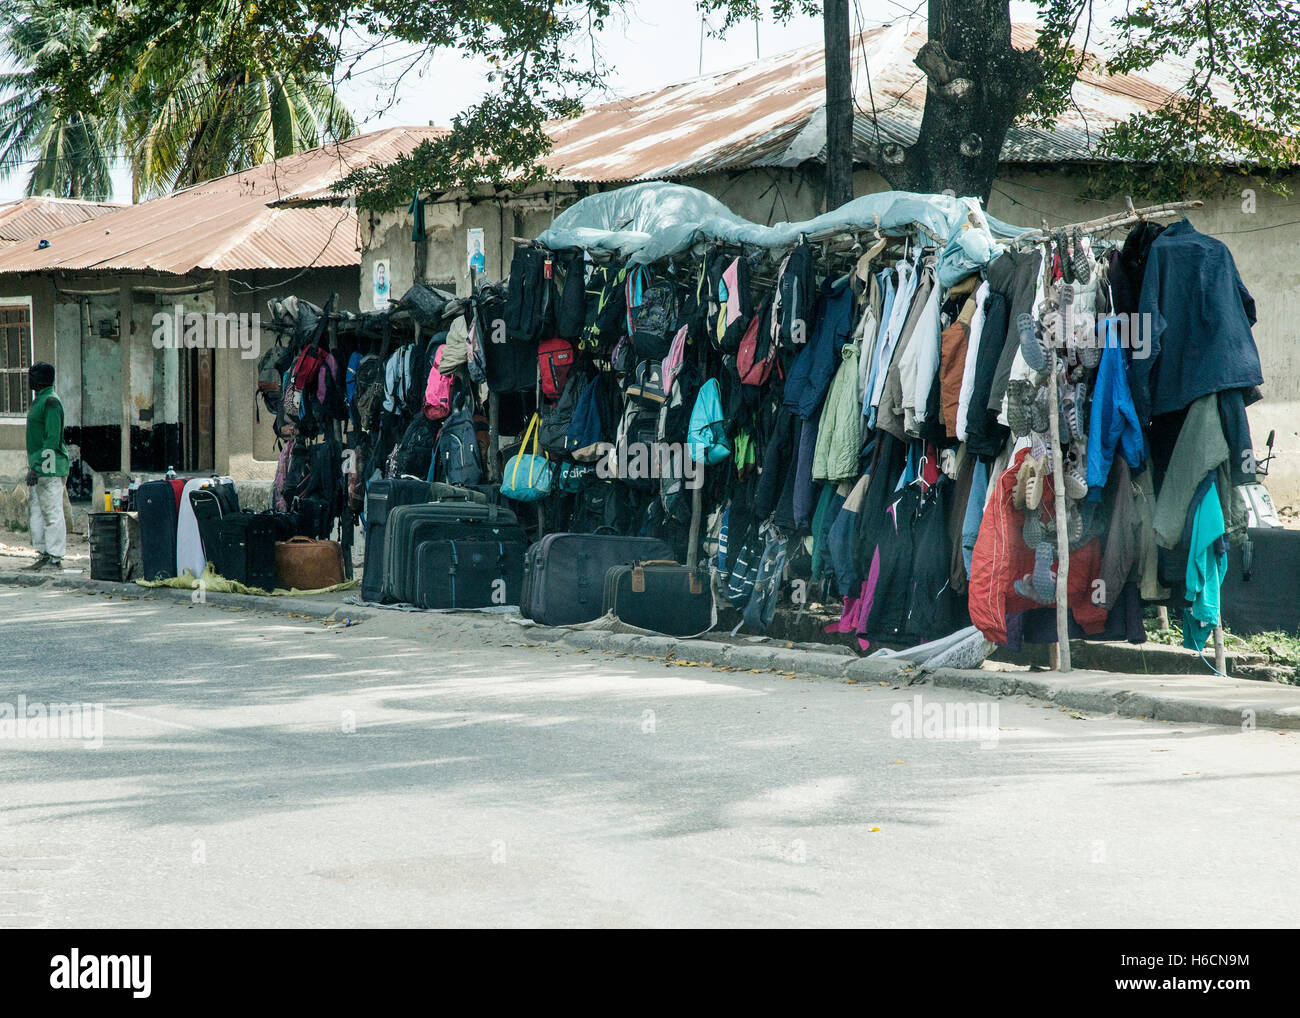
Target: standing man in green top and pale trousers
{"x": 47, "y": 470}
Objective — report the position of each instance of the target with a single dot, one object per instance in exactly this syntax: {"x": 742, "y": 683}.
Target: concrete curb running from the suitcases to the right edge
{"x": 1234, "y": 703}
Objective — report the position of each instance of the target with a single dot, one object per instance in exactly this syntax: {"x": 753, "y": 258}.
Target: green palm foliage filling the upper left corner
{"x": 180, "y": 107}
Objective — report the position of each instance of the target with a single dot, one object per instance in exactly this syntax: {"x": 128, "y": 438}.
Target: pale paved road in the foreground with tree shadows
{"x": 428, "y": 770}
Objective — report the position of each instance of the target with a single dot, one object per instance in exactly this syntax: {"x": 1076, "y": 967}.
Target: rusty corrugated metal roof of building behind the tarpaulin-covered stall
{"x": 772, "y": 114}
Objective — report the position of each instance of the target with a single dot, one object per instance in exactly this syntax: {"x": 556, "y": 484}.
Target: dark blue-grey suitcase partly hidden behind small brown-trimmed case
{"x": 565, "y": 574}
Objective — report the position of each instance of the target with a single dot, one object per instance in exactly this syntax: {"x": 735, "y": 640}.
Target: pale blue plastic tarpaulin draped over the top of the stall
{"x": 653, "y": 220}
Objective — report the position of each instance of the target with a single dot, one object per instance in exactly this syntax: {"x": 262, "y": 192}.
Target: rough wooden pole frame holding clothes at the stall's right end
{"x": 1041, "y": 237}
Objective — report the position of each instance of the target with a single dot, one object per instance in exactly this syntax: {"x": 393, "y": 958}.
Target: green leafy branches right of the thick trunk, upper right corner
{"x": 1232, "y": 107}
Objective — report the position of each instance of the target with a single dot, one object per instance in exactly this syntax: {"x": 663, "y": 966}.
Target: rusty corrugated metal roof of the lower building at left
{"x": 229, "y": 223}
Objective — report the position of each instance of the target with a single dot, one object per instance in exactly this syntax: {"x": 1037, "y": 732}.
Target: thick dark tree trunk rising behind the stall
{"x": 976, "y": 85}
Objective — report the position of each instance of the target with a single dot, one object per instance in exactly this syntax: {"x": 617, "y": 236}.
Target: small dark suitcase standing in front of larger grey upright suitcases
{"x": 473, "y": 574}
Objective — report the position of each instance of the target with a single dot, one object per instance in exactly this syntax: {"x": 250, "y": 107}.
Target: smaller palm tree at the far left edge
{"x": 70, "y": 153}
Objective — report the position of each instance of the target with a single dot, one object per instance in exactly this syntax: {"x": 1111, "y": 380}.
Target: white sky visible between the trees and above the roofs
{"x": 655, "y": 44}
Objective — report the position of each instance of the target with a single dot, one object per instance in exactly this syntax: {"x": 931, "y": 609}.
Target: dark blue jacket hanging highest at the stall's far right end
{"x": 1201, "y": 320}
